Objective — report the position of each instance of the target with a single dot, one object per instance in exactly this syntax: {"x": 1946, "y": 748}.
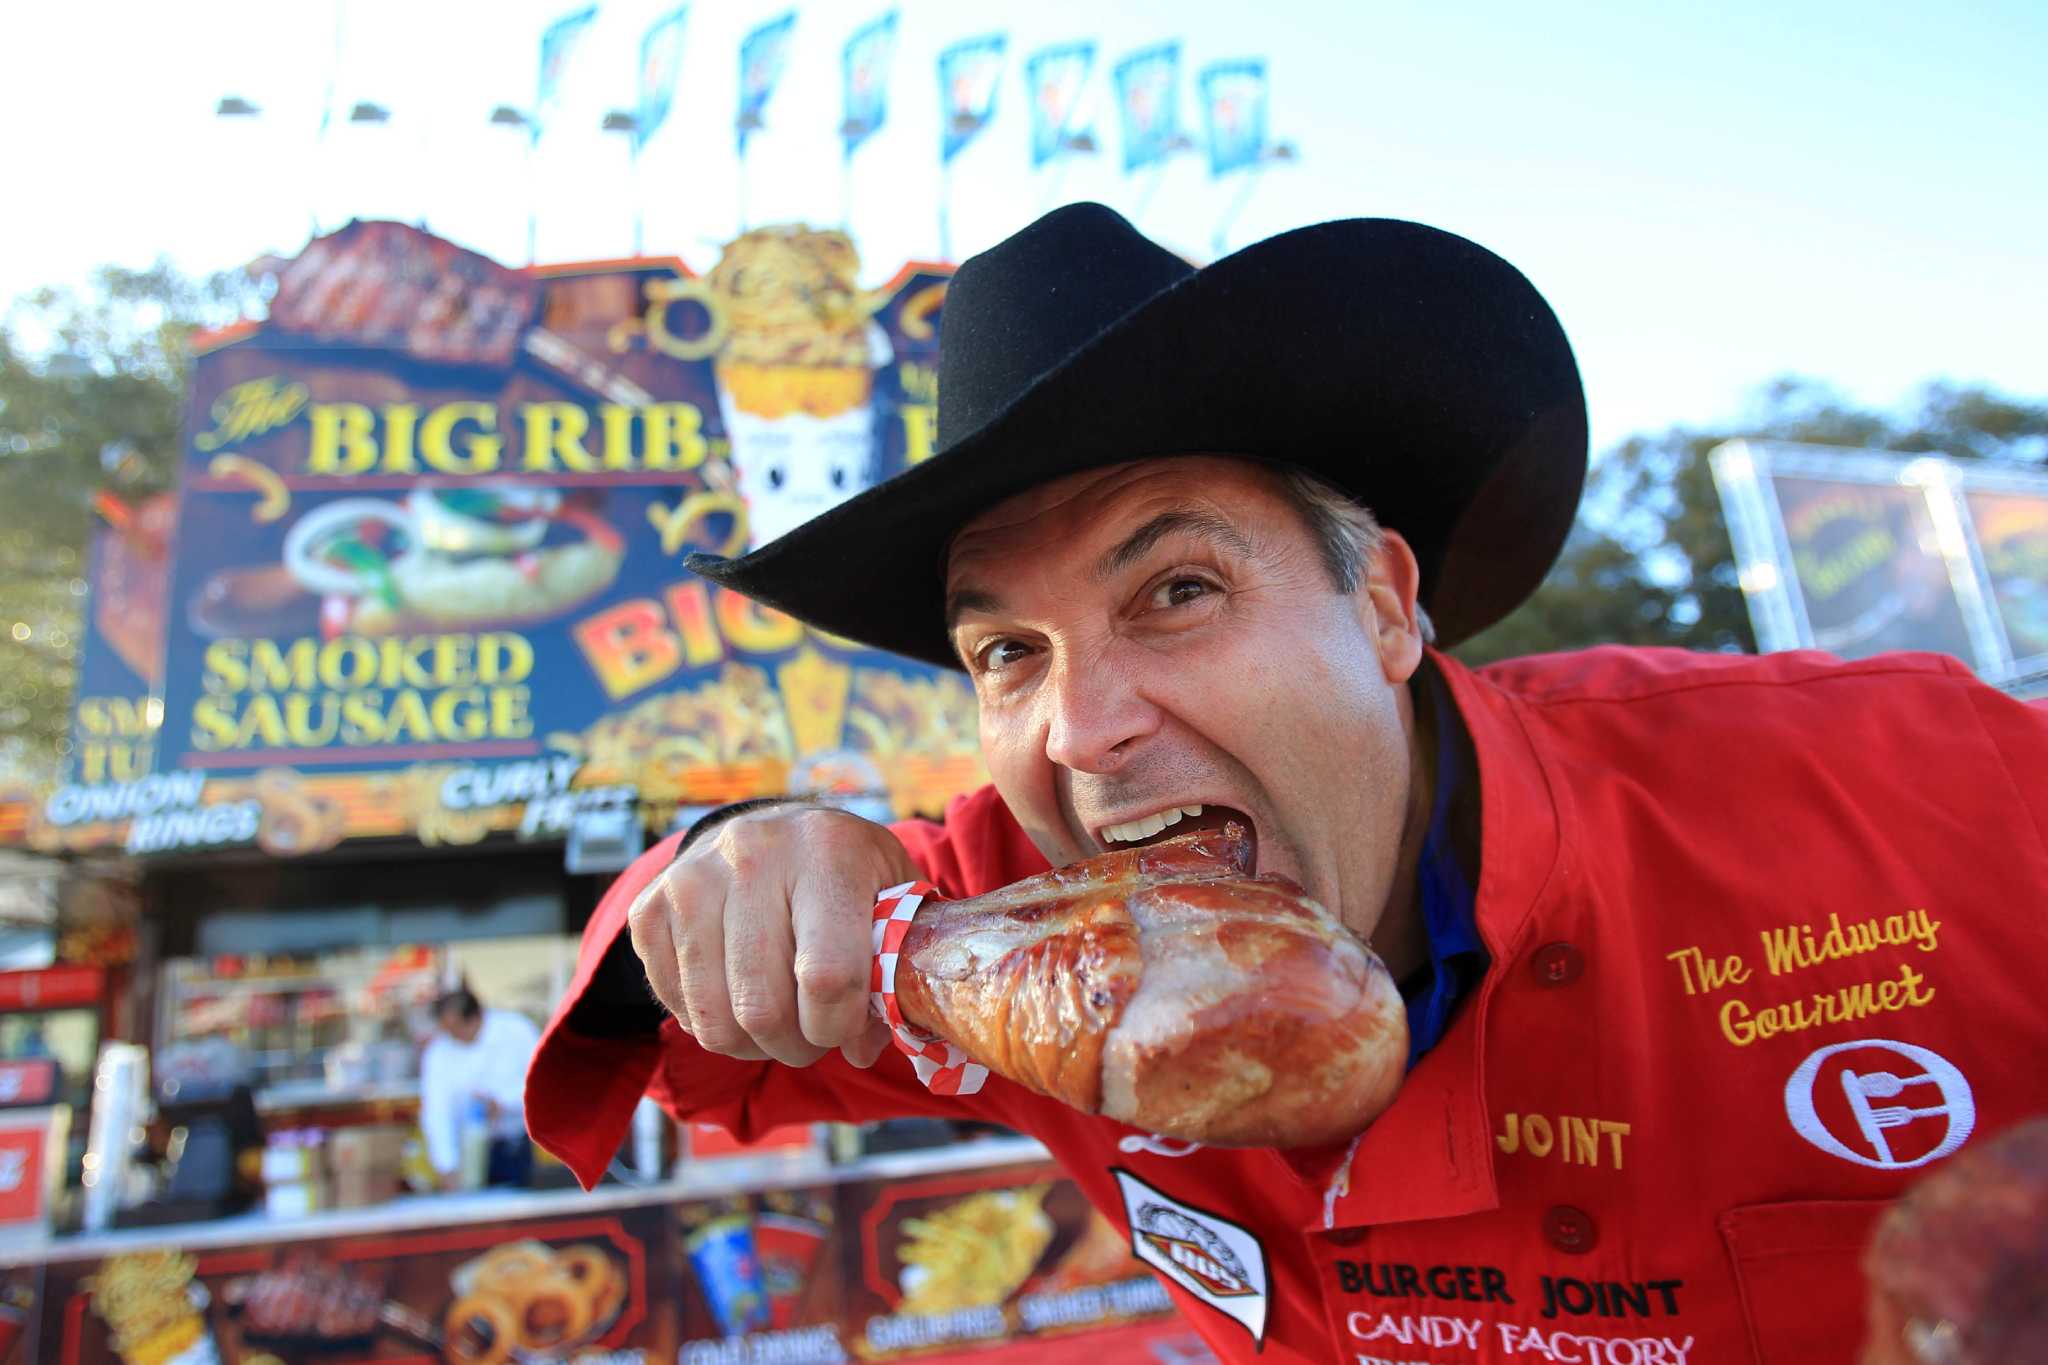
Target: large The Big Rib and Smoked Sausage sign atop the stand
{"x": 427, "y": 574}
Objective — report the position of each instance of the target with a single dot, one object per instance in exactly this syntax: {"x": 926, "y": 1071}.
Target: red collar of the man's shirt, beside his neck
{"x": 1433, "y": 1153}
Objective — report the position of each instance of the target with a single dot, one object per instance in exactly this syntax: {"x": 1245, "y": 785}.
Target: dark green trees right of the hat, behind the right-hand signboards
{"x": 1650, "y": 560}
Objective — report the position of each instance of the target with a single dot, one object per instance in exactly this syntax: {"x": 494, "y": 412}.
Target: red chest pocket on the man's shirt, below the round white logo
{"x": 1799, "y": 1270}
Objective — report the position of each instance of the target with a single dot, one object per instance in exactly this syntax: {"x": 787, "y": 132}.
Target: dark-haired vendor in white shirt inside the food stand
{"x": 472, "y": 1092}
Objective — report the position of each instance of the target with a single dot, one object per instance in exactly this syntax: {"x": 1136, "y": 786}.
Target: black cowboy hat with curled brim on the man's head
{"x": 1400, "y": 363}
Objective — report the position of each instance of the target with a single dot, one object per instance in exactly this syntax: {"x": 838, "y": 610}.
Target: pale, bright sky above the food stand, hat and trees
{"x": 1709, "y": 195}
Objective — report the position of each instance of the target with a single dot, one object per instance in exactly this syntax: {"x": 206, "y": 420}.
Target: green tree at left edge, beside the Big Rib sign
{"x": 91, "y": 396}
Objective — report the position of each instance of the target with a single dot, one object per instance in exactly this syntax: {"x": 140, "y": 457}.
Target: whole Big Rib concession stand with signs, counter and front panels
{"x": 374, "y": 705}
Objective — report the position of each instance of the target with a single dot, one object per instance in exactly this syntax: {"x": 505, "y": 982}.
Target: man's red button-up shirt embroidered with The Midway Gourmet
{"x": 1766, "y": 942}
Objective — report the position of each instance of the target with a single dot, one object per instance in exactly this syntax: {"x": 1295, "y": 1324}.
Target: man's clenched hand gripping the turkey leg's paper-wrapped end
{"x": 759, "y": 936}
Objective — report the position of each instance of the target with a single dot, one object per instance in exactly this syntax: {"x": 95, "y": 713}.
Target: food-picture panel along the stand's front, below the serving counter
{"x": 982, "y": 1266}
